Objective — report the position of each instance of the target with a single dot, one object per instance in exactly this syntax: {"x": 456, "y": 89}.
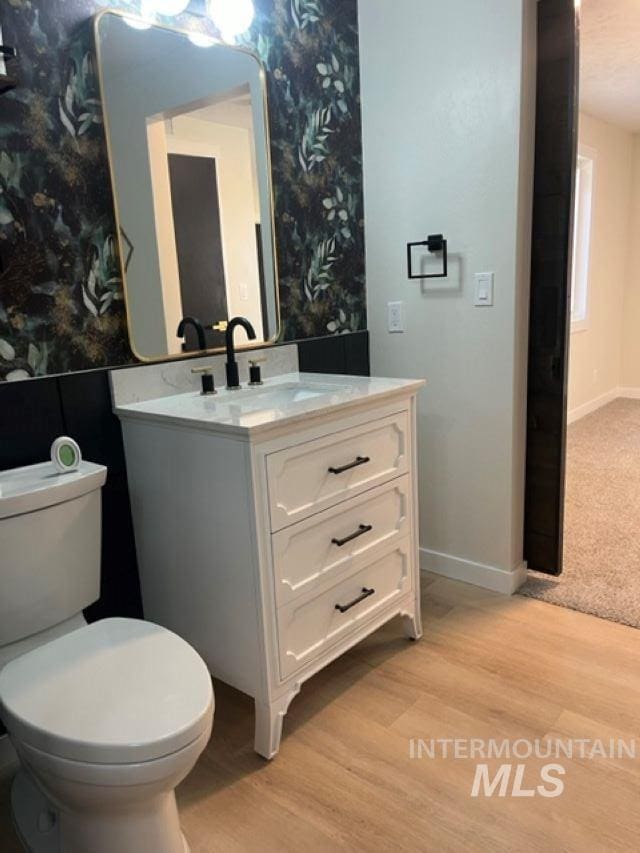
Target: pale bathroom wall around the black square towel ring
{"x": 447, "y": 103}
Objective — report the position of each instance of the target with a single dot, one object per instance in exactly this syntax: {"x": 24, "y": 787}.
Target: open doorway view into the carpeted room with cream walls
{"x": 600, "y": 554}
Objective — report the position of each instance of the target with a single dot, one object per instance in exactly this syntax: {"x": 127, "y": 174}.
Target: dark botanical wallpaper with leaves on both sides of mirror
{"x": 61, "y": 301}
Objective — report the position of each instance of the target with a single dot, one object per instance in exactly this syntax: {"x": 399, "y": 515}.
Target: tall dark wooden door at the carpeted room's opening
{"x": 555, "y": 160}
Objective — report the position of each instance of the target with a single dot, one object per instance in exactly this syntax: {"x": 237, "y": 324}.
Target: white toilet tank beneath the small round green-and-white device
{"x": 50, "y": 532}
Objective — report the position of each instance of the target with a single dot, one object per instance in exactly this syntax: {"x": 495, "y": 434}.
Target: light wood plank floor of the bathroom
{"x": 488, "y": 667}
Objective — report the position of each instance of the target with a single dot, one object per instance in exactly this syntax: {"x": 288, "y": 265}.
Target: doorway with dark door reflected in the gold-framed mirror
{"x": 203, "y": 172}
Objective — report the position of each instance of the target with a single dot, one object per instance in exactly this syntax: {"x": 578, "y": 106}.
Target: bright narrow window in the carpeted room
{"x": 582, "y": 239}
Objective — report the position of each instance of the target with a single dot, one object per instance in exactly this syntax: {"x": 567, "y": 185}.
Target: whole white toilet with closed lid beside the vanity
{"x": 106, "y": 718}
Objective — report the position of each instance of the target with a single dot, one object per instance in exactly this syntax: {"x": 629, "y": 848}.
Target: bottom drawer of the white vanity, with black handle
{"x": 308, "y": 627}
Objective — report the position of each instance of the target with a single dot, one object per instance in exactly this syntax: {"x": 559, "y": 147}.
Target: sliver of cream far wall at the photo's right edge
{"x": 630, "y": 370}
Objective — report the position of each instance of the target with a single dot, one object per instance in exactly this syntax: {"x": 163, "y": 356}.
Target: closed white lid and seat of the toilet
{"x": 119, "y": 691}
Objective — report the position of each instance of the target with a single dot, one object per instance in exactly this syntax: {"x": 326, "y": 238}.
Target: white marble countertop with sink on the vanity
{"x": 283, "y": 399}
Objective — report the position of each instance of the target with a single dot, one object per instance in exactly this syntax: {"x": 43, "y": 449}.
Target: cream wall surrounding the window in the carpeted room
{"x": 596, "y": 350}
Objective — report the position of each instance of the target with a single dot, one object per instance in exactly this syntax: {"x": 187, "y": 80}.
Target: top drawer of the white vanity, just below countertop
{"x": 310, "y": 477}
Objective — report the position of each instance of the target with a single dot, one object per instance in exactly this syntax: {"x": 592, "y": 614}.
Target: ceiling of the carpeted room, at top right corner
{"x": 610, "y": 61}
